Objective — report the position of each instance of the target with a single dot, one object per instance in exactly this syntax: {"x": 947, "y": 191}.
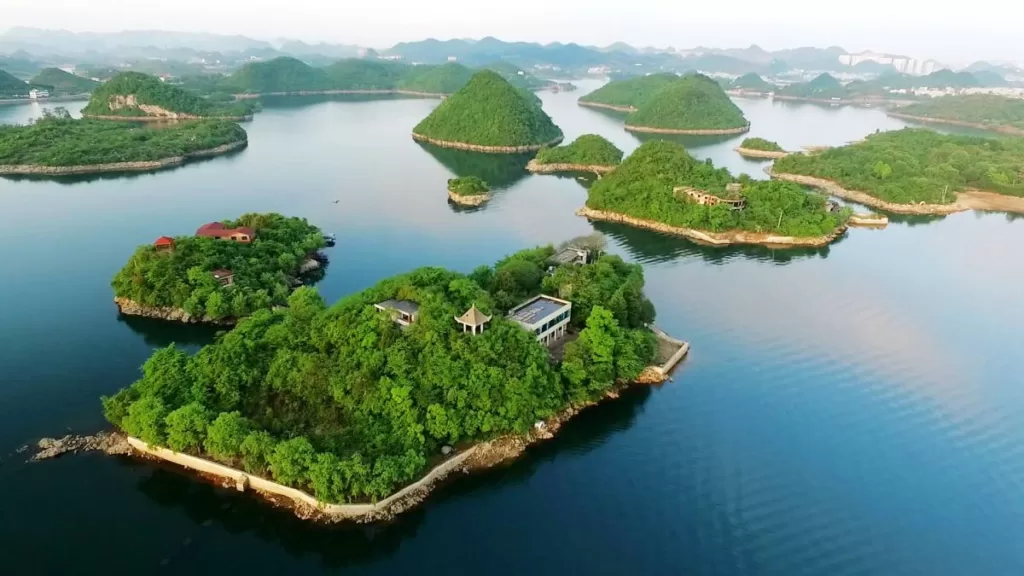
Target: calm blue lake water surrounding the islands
{"x": 851, "y": 410}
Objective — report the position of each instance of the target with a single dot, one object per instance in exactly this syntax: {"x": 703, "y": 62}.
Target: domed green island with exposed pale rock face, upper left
{"x": 133, "y": 96}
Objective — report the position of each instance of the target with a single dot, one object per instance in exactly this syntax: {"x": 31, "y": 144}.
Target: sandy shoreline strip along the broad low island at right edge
{"x": 968, "y": 200}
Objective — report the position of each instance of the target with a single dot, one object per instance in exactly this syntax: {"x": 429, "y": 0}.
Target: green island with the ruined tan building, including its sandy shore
{"x": 663, "y": 188}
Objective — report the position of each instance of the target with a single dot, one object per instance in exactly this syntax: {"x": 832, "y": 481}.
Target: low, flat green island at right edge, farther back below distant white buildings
{"x": 976, "y": 111}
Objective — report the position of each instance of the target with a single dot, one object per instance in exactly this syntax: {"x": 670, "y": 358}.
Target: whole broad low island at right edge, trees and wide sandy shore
{"x": 917, "y": 172}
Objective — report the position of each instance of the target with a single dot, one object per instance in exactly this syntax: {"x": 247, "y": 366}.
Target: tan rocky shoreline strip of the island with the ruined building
{"x": 715, "y": 238}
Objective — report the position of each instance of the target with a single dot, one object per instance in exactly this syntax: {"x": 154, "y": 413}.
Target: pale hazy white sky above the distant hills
{"x": 956, "y": 33}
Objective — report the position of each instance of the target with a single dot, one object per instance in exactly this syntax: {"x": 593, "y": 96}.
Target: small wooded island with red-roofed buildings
{"x": 227, "y": 271}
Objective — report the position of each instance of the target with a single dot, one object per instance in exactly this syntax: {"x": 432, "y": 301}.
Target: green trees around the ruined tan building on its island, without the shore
{"x": 644, "y": 188}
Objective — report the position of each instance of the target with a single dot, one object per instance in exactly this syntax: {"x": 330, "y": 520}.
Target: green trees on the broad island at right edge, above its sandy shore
{"x": 918, "y": 166}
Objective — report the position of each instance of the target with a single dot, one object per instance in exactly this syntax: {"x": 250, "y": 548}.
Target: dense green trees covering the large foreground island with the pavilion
{"x": 343, "y": 402}
